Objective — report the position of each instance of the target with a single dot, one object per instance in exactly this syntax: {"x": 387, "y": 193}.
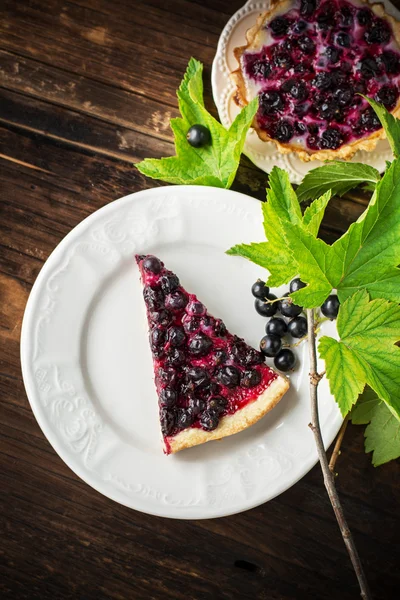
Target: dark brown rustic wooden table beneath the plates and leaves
{"x": 87, "y": 89}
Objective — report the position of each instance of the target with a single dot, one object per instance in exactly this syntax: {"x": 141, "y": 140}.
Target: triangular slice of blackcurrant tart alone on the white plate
{"x": 210, "y": 383}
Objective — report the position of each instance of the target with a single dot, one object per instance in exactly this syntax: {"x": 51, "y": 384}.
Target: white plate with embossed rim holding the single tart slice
{"x": 87, "y": 364}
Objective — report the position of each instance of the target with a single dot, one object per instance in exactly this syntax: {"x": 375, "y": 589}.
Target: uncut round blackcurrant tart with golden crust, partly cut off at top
{"x": 309, "y": 62}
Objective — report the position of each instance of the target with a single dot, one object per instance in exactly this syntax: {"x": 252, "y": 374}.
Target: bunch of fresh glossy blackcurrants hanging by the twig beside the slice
{"x": 290, "y": 323}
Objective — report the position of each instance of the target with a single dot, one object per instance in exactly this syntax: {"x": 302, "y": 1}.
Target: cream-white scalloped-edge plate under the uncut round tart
{"x": 264, "y": 154}
